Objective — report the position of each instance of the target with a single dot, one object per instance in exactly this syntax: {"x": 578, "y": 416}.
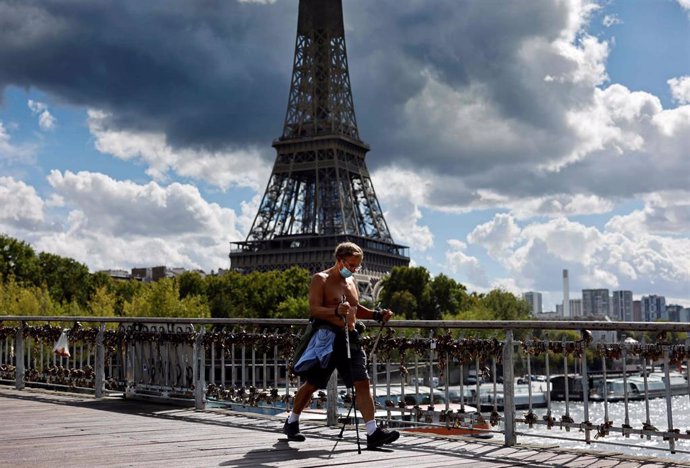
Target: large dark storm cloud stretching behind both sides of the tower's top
{"x": 216, "y": 74}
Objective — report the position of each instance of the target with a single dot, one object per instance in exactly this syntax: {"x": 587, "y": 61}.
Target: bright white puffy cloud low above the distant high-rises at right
{"x": 623, "y": 255}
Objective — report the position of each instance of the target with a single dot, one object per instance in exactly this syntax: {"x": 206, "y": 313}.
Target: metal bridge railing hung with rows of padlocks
{"x": 570, "y": 385}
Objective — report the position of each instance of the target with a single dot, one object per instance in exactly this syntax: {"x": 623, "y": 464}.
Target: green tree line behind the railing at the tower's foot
{"x": 48, "y": 284}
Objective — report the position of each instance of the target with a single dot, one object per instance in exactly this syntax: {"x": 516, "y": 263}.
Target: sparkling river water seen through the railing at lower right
{"x": 634, "y": 445}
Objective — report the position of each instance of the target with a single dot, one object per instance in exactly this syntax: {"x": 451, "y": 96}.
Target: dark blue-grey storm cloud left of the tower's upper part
{"x": 205, "y": 73}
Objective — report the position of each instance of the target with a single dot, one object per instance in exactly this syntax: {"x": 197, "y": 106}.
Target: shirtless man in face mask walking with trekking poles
{"x": 327, "y": 309}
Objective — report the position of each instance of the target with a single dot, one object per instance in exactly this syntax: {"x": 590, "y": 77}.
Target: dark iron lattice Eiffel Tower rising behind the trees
{"x": 319, "y": 193}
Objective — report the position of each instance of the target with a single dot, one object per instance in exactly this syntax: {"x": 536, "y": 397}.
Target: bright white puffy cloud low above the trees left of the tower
{"x": 120, "y": 224}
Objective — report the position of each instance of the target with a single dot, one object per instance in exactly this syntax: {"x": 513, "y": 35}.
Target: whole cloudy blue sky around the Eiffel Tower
{"x": 510, "y": 139}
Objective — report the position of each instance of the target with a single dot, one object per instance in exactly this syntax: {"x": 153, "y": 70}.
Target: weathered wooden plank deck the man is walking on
{"x": 40, "y": 428}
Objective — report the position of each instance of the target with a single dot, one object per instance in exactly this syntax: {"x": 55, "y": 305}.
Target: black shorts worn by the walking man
{"x": 319, "y": 377}
